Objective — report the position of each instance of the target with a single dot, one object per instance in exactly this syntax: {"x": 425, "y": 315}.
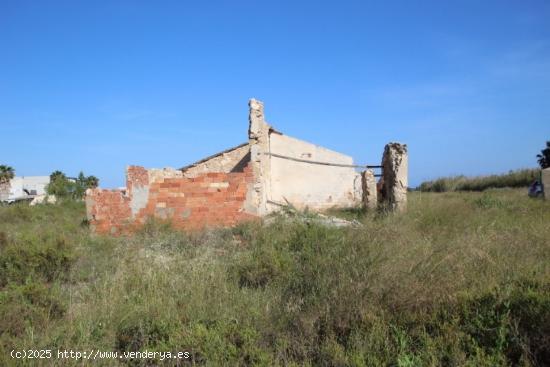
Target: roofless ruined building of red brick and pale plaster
{"x": 246, "y": 182}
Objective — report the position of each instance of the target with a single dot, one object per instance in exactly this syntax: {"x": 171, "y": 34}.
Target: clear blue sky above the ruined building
{"x": 98, "y": 85}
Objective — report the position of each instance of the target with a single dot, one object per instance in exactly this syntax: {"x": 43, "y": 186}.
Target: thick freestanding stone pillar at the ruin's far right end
{"x": 395, "y": 176}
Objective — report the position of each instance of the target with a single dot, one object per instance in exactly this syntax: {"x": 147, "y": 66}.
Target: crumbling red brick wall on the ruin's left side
{"x": 212, "y": 199}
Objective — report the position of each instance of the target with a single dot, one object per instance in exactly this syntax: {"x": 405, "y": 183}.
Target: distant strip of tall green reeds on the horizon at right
{"x": 517, "y": 178}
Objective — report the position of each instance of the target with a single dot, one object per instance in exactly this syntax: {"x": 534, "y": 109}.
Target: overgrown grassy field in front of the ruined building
{"x": 461, "y": 279}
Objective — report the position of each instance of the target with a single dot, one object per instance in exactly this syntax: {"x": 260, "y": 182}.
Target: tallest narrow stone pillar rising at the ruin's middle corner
{"x": 258, "y": 138}
